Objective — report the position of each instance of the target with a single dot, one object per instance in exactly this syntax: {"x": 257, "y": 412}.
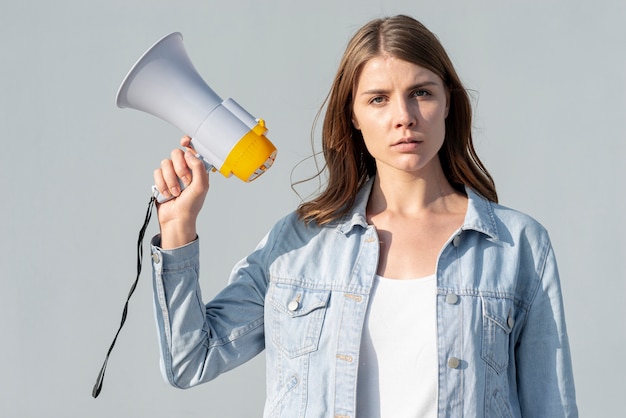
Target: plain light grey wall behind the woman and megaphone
{"x": 549, "y": 80}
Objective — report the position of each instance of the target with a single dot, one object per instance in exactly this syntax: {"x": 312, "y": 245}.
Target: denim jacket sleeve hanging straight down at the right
{"x": 544, "y": 366}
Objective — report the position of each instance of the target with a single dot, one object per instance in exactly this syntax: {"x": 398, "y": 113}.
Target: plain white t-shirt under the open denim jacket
{"x": 398, "y": 360}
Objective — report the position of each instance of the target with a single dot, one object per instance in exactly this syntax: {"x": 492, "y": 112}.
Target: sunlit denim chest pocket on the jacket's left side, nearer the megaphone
{"x": 296, "y": 318}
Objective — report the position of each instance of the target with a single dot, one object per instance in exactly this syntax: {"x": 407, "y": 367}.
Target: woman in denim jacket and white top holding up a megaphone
{"x": 403, "y": 289}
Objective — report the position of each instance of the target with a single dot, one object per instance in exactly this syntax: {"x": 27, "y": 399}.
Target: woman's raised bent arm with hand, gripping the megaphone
{"x": 198, "y": 342}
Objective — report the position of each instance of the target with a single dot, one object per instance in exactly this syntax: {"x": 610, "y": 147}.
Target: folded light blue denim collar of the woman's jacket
{"x": 479, "y": 216}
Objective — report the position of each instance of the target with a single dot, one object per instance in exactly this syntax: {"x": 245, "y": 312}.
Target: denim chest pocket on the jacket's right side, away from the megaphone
{"x": 498, "y": 323}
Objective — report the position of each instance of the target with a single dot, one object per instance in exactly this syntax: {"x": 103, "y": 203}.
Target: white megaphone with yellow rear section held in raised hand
{"x": 165, "y": 84}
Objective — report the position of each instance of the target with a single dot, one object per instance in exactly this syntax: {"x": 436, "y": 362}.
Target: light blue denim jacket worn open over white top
{"x": 302, "y": 295}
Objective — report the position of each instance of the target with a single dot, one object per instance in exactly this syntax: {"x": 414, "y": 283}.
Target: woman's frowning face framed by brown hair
{"x": 400, "y": 109}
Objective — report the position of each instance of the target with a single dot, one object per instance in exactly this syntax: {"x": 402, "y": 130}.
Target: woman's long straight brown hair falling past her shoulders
{"x": 348, "y": 163}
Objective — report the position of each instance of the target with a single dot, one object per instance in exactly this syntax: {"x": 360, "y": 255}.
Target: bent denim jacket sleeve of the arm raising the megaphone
{"x": 199, "y": 342}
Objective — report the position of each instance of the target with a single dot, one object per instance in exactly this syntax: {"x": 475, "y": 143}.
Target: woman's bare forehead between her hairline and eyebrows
{"x": 387, "y": 70}
